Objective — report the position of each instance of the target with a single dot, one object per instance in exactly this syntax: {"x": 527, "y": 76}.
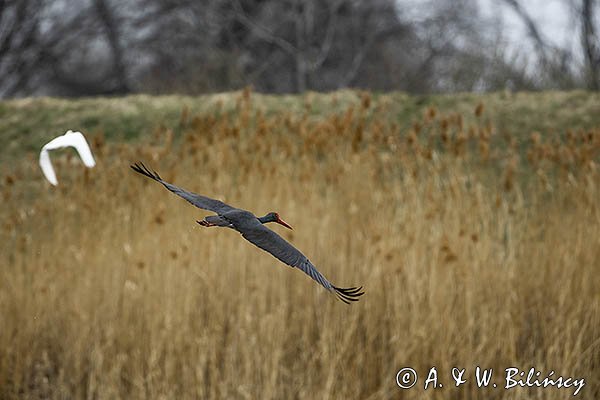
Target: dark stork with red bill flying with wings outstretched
{"x": 253, "y": 229}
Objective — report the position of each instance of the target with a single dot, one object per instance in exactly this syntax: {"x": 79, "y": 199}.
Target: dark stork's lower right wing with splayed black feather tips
{"x": 266, "y": 239}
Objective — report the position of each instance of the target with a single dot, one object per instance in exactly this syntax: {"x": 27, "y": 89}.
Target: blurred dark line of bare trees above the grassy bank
{"x": 99, "y": 47}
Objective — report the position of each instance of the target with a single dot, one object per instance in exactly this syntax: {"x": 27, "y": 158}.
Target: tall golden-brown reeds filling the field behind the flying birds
{"x": 476, "y": 247}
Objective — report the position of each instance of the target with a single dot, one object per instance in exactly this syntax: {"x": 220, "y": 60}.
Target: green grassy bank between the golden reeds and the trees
{"x": 27, "y": 124}
